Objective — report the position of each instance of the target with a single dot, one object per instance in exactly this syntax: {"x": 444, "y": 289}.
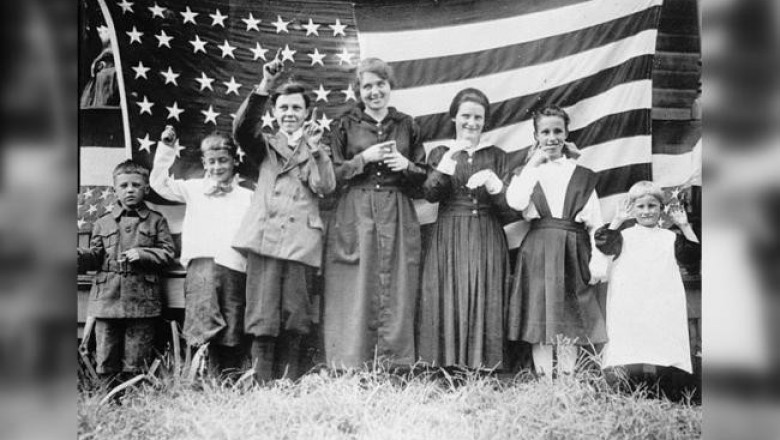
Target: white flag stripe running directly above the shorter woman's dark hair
{"x": 428, "y": 100}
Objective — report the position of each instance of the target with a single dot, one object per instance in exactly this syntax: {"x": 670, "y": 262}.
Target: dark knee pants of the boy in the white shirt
{"x": 213, "y": 303}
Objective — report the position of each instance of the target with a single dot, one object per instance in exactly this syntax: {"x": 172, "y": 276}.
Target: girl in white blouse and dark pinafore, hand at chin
{"x": 553, "y": 301}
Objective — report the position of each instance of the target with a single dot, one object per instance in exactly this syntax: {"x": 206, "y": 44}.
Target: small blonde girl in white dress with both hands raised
{"x": 647, "y": 320}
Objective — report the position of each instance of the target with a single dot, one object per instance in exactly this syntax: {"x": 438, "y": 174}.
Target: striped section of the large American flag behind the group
{"x": 593, "y": 58}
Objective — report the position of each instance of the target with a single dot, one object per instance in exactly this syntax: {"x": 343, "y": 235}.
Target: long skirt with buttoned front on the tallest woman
{"x": 371, "y": 279}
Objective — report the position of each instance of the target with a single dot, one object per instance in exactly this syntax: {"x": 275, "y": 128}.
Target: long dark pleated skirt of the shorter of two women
{"x": 464, "y": 292}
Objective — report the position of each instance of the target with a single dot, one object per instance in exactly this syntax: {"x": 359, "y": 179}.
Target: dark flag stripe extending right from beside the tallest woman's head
{"x": 447, "y": 69}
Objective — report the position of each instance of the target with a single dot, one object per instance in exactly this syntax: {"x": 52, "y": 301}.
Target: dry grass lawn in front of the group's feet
{"x": 379, "y": 405}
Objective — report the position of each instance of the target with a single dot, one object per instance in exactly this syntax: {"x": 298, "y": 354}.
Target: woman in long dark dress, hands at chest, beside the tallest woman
{"x": 465, "y": 280}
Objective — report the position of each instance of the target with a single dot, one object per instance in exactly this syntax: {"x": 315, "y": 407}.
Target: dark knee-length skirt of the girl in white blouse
{"x": 551, "y": 295}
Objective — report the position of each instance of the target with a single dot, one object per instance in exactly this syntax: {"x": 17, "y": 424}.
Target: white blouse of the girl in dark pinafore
{"x": 554, "y": 177}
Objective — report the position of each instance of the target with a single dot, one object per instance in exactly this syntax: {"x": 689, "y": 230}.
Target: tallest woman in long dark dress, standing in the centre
{"x": 372, "y": 260}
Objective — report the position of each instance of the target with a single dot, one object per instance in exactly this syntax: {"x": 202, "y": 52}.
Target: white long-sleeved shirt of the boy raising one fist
{"x": 210, "y": 222}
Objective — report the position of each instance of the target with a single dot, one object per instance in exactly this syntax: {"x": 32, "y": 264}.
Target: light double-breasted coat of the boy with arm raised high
{"x": 283, "y": 220}
